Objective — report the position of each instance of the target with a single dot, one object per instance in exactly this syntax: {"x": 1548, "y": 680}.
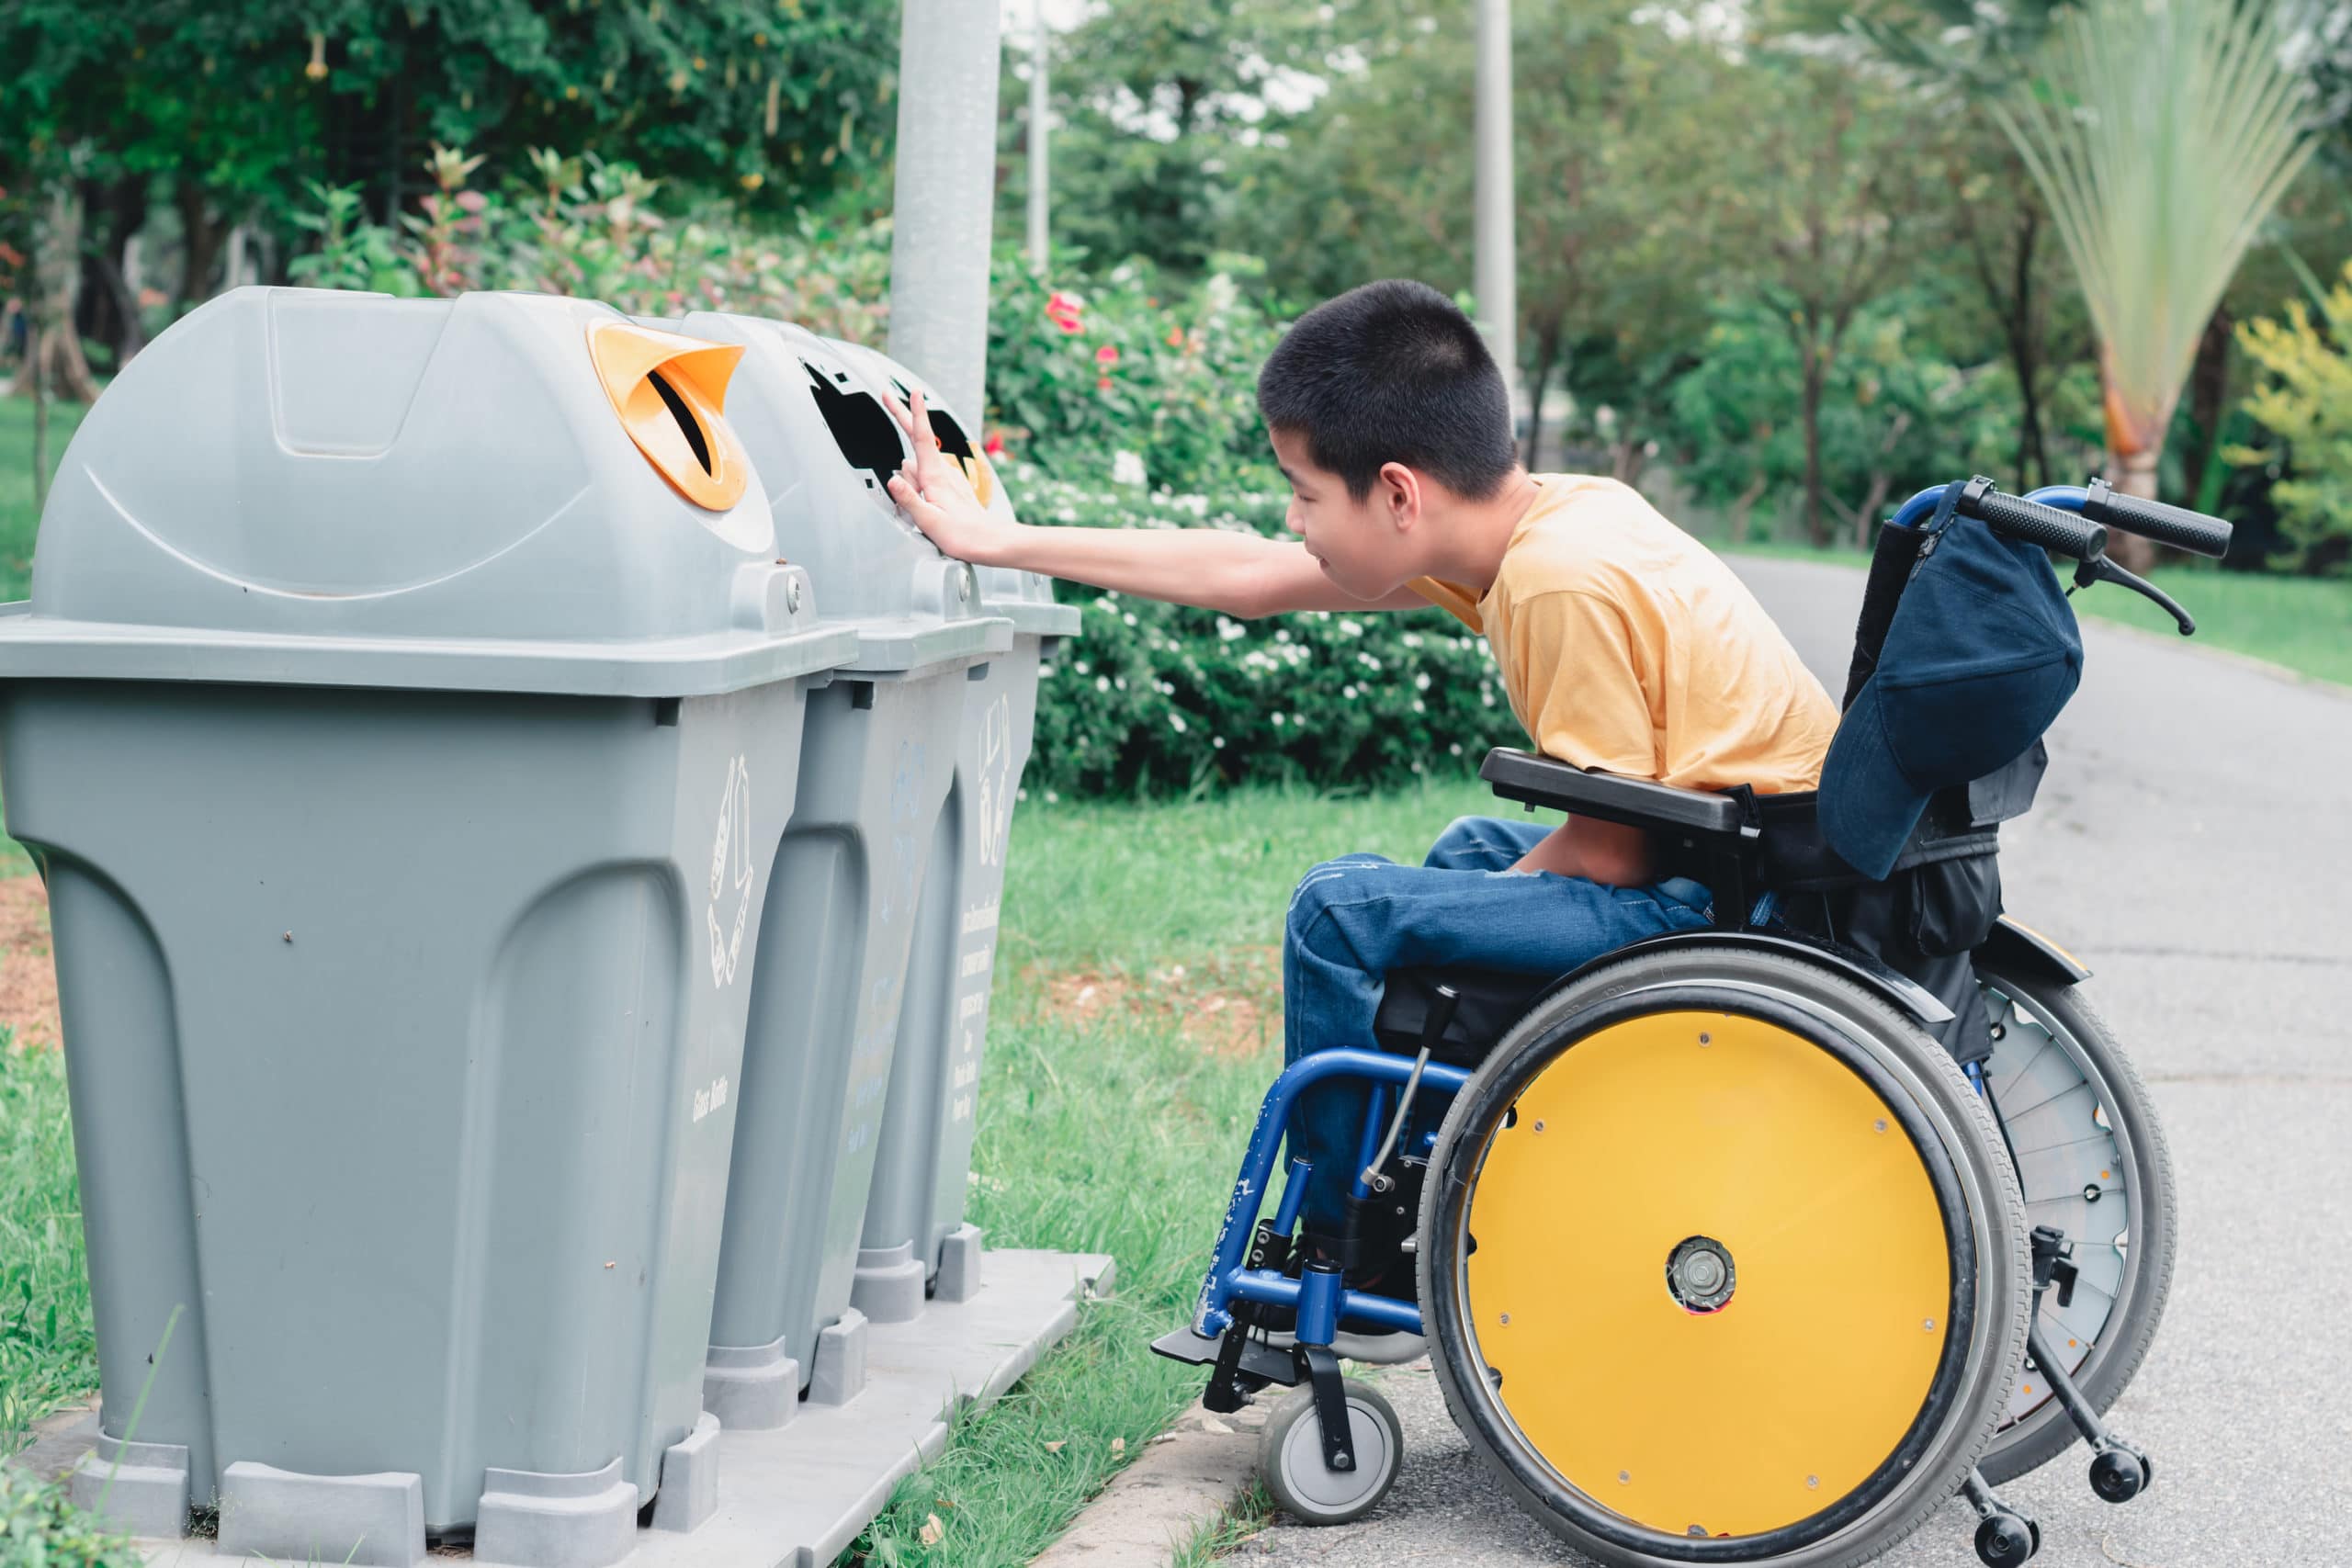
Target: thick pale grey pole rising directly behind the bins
{"x": 947, "y": 196}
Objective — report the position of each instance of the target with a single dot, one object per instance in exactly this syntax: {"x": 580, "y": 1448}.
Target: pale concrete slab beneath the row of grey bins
{"x": 796, "y": 1496}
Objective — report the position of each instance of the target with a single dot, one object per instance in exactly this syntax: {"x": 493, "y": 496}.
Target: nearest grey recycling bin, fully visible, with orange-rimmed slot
{"x": 406, "y": 721}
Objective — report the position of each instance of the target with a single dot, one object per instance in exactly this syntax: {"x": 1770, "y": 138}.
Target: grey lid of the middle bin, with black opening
{"x": 827, "y": 445}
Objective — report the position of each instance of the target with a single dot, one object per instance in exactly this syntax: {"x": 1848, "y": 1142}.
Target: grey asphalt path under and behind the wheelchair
{"x": 2193, "y": 845}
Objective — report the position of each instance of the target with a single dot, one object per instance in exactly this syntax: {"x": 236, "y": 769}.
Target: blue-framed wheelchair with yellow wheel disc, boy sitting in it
{"x": 1749, "y": 1245}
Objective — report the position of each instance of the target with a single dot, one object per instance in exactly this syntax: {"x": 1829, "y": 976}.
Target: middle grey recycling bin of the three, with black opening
{"x": 878, "y": 760}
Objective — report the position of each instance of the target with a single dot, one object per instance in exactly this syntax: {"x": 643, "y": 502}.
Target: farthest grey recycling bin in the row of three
{"x": 916, "y": 1240}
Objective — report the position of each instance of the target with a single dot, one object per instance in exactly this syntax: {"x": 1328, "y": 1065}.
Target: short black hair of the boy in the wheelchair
{"x": 1394, "y": 373}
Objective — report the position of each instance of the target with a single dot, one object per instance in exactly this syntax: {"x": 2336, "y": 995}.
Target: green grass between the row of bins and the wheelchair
{"x": 1116, "y": 1134}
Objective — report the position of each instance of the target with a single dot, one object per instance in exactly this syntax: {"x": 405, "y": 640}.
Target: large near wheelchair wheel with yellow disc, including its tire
{"x": 1720, "y": 1245}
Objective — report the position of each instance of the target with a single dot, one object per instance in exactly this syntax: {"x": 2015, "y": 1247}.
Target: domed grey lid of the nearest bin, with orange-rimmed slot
{"x": 495, "y": 492}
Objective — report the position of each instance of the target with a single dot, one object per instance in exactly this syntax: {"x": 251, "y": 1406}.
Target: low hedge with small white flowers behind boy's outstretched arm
{"x": 1163, "y": 697}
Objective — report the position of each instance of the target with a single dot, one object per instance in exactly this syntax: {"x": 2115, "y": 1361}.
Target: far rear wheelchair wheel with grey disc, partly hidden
{"x": 2080, "y": 1120}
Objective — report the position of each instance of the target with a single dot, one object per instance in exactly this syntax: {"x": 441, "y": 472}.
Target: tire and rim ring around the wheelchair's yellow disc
{"x": 1935, "y": 1094}
